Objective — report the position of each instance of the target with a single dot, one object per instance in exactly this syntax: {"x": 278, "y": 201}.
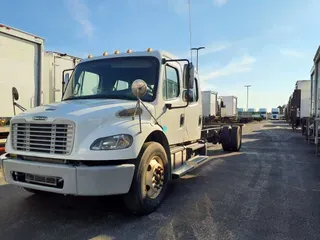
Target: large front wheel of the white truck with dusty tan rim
{"x": 137, "y": 199}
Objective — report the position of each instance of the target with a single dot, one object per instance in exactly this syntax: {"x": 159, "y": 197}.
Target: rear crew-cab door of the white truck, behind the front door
{"x": 193, "y": 114}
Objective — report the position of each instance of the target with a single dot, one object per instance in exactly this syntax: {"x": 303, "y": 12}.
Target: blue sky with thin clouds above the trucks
{"x": 266, "y": 43}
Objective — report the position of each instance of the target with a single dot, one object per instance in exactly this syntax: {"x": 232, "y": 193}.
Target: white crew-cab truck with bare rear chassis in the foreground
{"x": 127, "y": 124}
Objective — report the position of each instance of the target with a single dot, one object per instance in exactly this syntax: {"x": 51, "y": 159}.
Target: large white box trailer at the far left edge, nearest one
{"x": 21, "y": 57}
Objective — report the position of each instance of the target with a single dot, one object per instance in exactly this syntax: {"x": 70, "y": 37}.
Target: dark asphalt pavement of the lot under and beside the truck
{"x": 268, "y": 190}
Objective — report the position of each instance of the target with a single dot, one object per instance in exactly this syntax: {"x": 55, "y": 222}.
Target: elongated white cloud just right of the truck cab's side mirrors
{"x": 238, "y": 66}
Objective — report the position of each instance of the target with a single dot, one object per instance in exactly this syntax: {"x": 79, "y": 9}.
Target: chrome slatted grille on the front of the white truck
{"x": 53, "y": 138}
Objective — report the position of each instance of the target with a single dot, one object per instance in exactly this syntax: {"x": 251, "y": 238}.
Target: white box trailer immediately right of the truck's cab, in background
{"x": 209, "y": 103}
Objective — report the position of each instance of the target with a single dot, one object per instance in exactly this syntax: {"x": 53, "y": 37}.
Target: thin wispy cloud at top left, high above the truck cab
{"x": 80, "y": 13}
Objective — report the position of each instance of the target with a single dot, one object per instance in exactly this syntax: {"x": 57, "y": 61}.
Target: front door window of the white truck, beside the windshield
{"x": 171, "y": 83}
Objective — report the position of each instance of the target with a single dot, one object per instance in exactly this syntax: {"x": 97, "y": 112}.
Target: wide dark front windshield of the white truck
{"x": 112, "y": 78}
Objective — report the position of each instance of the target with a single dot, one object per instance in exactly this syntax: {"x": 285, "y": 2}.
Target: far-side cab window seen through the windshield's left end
{"x": 89, "y": 83}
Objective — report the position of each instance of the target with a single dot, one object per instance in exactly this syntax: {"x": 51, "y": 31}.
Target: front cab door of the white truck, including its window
{"x": 172, "y": 120}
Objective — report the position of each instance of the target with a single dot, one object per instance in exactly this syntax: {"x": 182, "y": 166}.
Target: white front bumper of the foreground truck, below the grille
{"x": 76, "y": 180}
